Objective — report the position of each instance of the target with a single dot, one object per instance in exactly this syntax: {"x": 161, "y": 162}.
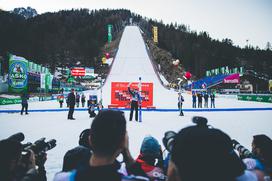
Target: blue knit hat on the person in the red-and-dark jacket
{"x": 150, "y": 147}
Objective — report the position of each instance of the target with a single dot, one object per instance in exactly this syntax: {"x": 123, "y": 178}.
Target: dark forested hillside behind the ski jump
{"x": 71, "y": 36}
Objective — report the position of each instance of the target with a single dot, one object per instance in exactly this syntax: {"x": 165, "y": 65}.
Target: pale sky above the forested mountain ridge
{"x": 242, "y": 21}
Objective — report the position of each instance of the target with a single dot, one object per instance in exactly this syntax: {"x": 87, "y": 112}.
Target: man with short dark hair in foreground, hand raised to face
{"x": 108, "y": 138}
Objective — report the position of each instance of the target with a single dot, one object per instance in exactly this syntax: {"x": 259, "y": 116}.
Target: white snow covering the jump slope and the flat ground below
{"x": 132, "y": 62}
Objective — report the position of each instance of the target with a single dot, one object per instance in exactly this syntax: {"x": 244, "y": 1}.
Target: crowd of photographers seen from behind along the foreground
{"x": 198, "y": 152}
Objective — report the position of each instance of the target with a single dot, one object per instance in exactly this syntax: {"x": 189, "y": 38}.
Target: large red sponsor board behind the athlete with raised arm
{"x": 121, "y": 97}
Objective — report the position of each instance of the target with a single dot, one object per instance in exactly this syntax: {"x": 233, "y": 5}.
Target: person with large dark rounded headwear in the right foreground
{"x": 203, "y": 153}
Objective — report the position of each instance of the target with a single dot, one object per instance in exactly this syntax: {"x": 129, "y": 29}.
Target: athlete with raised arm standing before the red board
{"x": 135, "y": 100}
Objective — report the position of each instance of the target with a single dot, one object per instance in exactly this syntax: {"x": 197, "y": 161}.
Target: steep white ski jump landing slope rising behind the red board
{"x": 132, "y": 62}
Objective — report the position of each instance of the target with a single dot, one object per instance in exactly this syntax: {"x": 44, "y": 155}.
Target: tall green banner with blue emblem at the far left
{"x": 18, "y": 80}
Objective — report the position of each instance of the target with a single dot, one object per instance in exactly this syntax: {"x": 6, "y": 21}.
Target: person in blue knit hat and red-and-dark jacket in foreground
{"x": 149, "y": 162}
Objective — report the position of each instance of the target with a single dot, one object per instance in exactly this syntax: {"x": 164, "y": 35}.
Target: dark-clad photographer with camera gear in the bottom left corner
{"x": 17, "y": 167}
